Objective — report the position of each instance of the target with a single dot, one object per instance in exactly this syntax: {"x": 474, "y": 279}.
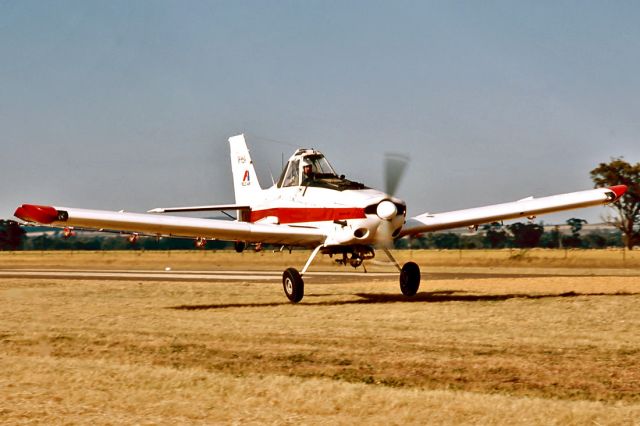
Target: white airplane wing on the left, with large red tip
{"x": 174, "y": 226}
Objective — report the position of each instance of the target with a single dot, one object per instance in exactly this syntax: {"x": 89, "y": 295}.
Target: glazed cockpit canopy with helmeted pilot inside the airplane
{"x": 308, "y": 167}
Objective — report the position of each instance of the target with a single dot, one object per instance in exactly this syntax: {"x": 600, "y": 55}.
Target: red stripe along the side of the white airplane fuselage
{"x": 308, "y": 214}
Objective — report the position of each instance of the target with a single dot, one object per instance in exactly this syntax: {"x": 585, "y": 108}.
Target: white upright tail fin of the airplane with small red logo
{"x": 245, "y": 180}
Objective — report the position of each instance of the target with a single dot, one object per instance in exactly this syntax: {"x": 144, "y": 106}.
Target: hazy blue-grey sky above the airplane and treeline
{"x": 128, "y": 105}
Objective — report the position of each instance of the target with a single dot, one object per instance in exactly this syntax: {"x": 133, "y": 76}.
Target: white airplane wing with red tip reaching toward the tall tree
{"x": 514, "y": 210}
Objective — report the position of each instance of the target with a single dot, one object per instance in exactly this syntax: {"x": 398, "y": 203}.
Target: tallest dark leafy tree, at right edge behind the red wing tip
{"x": 619, "y": 172}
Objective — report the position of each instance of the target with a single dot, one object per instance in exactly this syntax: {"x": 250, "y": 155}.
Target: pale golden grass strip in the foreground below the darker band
{"x": 50, "y": 390}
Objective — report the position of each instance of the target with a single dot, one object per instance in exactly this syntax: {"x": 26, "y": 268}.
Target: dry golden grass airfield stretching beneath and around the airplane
{"x": 495, "y": 337}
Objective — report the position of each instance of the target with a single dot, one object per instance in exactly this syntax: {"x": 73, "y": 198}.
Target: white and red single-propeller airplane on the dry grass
{"x": 310, "y": 206}
